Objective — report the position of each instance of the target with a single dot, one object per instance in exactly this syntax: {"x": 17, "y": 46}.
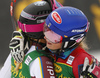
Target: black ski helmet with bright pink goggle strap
{"x": 32, "y": 18}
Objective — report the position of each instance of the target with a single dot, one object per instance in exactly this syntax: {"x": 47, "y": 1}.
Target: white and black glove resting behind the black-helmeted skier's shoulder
{"x": 16, "y": 46}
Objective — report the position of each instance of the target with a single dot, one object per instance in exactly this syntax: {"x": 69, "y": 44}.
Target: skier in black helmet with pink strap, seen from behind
{"x": 32, "y": 16}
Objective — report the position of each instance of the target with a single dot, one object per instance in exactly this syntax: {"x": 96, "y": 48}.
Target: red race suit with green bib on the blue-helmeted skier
{"x": 69, "y": 64}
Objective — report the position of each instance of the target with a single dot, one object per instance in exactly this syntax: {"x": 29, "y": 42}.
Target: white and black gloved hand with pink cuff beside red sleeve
{"x": 90, "y": 71}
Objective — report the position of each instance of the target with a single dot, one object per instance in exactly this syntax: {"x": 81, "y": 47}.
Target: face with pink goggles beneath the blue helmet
{"x": 53, "y": 40}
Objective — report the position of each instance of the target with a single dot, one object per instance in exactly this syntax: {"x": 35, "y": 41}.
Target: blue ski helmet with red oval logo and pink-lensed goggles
{"x": 68, "y": 25}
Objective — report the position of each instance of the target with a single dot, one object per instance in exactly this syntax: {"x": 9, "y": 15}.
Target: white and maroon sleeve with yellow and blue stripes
{"x": 42, "y": 67}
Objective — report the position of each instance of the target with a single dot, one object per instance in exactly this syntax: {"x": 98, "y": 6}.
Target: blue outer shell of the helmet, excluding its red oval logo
{"x": 74, "y": 22}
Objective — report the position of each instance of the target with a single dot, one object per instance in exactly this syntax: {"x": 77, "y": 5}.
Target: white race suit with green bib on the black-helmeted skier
{"x": 35, "y": 65}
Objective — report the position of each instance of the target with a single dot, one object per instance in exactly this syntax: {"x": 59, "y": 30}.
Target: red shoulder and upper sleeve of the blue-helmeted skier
{"x": 79, "y": 55}
